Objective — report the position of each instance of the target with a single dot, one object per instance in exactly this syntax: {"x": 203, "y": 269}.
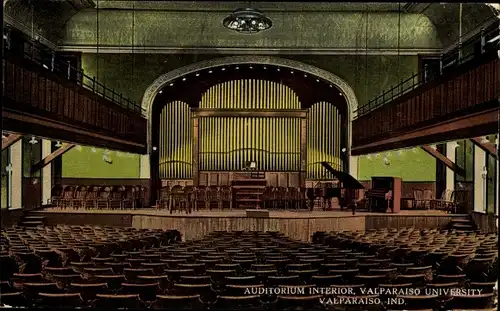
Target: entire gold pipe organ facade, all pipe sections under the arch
{"x": 260, "y": 121}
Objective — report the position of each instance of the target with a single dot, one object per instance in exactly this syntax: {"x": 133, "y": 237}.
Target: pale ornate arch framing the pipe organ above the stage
{"x": 162, "y": 81}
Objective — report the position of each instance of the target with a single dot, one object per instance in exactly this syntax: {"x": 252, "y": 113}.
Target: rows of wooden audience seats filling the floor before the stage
{"x": 140, "y": 268}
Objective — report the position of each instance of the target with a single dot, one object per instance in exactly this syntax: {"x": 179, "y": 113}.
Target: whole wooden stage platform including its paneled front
{"x": 295, "y": 224}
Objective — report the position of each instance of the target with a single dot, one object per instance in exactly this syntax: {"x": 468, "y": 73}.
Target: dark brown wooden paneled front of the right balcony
{"x": 471, "y": 88}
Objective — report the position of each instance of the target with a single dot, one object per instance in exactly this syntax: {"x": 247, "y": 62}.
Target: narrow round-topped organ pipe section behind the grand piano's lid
{"x": 324, "y": 140}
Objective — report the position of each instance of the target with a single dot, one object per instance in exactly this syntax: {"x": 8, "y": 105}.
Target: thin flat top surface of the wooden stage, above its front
{"x": 242, "y": 213}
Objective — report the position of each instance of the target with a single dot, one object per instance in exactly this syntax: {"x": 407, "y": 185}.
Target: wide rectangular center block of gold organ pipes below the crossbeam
{"x": 228, "y": 143}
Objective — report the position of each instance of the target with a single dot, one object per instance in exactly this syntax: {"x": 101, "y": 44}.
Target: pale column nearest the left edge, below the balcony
{"x": 16, "y": 160}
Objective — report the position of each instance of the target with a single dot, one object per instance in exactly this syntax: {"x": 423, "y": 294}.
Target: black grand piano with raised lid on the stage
{"x": 342, "y": 189}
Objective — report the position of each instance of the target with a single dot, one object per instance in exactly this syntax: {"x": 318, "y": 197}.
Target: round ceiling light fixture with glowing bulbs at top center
{"x": 247, "y": 21}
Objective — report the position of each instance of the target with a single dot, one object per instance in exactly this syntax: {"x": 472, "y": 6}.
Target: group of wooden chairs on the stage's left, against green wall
{"x": 98, "y": 197}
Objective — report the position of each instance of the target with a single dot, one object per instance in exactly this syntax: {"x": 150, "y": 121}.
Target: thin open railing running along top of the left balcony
{"x": 46, "y": 59}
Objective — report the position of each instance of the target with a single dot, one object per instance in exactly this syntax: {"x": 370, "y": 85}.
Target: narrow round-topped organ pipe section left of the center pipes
{"x": 176, "y": 145}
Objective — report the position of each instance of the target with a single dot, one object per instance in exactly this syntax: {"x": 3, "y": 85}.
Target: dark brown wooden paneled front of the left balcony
{"x": 43, "y": 93}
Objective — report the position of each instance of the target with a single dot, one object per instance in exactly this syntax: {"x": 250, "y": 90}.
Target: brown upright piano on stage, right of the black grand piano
{"x": 385, "y": 195}
